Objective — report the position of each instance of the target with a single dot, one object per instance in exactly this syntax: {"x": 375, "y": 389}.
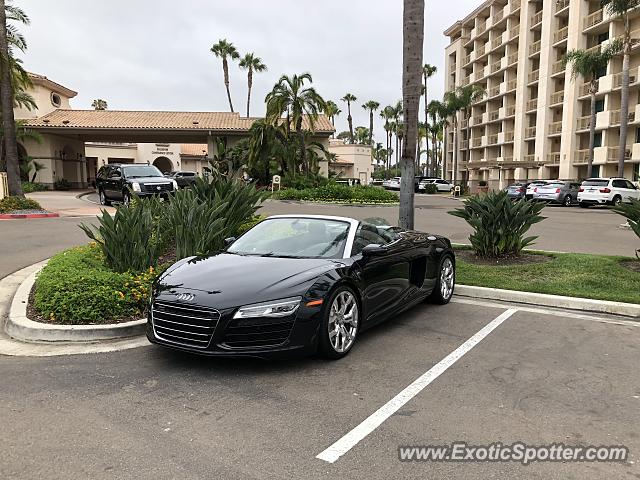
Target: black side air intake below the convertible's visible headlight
{"x": 257, "y": 332}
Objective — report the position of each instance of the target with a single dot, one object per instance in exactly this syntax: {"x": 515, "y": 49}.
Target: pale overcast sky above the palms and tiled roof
{"x": 155, "y": 54}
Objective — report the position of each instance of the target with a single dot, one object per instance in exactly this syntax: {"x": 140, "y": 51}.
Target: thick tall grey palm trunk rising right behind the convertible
{"x": 412, "y": 46}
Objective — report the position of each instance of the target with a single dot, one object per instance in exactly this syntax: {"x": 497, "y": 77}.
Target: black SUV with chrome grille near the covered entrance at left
{"x": 115, "y": 182}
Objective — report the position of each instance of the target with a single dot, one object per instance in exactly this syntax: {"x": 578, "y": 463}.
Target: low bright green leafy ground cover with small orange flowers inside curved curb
{"x": 77, "y": 287}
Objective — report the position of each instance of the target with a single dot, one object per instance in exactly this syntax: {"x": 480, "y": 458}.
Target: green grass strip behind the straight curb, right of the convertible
{"x": 571, "y": 274}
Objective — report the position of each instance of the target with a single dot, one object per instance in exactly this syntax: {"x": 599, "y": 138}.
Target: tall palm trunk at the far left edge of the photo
{"x": 8, "y": 120}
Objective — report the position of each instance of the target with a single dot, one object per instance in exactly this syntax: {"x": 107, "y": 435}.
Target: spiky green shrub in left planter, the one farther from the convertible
{"x": 130, "y": 240}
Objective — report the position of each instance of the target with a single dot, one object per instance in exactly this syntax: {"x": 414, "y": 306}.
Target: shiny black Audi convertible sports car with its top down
{"x": 298, "y": 284}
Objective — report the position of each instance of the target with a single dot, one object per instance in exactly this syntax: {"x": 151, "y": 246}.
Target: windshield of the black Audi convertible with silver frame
{"x": 294, "y": 238}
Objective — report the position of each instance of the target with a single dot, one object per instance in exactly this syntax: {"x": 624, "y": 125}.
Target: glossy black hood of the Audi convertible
{"x": 227, "y": 280}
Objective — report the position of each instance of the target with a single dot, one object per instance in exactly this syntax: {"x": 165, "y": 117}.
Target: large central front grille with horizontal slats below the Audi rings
{"x": 187, "y": 325}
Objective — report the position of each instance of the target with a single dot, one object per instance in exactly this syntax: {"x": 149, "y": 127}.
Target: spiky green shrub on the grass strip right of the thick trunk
{"x": 499, "y": 224}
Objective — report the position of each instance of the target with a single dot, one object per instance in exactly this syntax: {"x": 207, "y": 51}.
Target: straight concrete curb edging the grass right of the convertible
{"x": 558, "y": 301}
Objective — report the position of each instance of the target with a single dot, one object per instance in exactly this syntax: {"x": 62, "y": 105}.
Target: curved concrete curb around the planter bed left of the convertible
{"x": 18, "y": 326}
